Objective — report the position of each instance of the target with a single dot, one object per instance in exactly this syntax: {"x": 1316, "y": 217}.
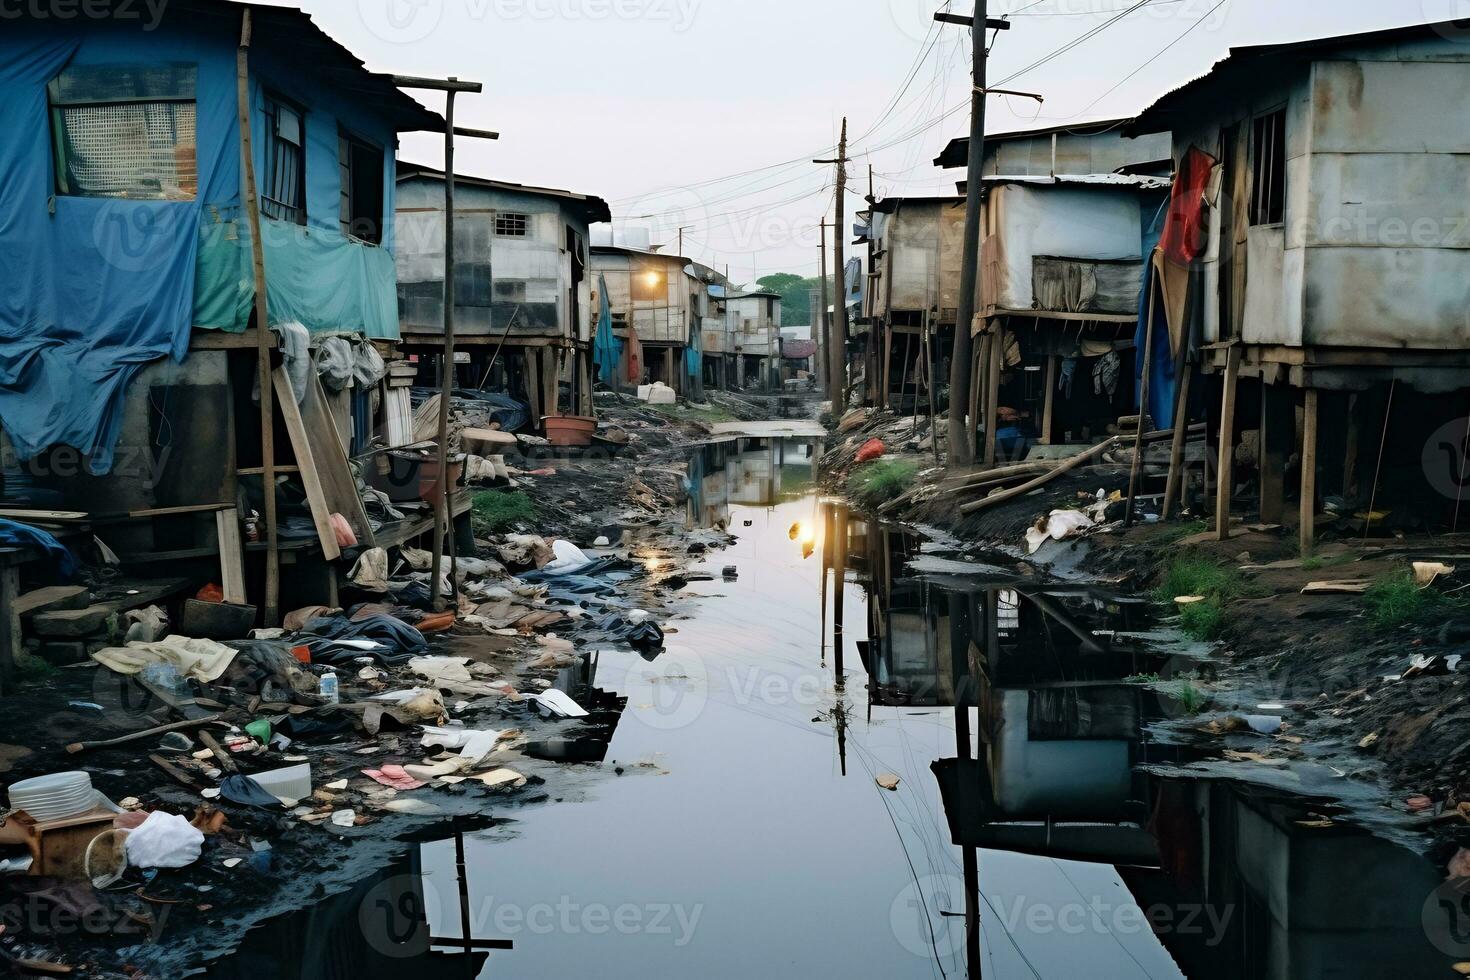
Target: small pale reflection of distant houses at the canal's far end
{"x": 747, "y": 472}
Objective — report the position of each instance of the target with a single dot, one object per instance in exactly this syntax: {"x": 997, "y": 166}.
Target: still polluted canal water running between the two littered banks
{"x": 861, "y": 756}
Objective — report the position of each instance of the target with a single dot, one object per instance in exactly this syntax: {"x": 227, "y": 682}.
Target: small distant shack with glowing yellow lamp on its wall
{"x": 655, "y": 308}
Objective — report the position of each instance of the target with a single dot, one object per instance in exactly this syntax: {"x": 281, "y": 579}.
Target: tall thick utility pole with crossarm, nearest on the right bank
{"x": 962, "y": 430}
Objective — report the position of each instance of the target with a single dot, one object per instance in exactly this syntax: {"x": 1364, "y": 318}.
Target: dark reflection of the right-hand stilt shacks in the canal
{"x": 1052, "y": 756}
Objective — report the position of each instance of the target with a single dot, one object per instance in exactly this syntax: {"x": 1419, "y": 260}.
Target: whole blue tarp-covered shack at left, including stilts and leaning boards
{"x": 129, "y": 325}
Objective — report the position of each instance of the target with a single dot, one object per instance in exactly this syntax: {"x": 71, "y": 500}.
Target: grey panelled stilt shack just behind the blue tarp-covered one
{"x": 524, "y": 287}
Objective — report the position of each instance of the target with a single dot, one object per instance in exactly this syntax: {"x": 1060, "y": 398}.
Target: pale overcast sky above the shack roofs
{"x": 658, "y": 105}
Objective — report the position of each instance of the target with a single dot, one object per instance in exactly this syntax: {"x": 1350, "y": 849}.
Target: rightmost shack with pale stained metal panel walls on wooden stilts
{"x": 1330, "y": 255}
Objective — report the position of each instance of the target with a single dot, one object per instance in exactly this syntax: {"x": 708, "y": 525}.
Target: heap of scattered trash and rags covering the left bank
{"x": 220, "y": 760}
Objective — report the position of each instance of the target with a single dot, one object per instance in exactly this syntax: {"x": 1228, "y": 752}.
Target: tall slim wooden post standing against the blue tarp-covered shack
{"x": 271, "y": 609}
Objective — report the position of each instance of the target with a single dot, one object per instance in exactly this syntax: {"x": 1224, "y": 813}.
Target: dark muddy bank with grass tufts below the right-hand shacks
{"x": 1346, "y": 685}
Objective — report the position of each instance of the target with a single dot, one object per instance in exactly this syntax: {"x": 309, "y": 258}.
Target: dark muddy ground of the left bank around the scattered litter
{"x": 264, "y": 863}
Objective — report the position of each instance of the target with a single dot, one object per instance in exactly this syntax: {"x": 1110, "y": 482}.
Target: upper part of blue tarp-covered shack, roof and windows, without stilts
{"x": 121, "y": 218}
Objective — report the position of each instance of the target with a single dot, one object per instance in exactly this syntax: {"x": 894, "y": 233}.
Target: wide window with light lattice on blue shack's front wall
{"x": 126, "y": 131}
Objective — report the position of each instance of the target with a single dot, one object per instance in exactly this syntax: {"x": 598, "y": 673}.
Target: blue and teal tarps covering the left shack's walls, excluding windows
{"x": 99, "y": 287}
